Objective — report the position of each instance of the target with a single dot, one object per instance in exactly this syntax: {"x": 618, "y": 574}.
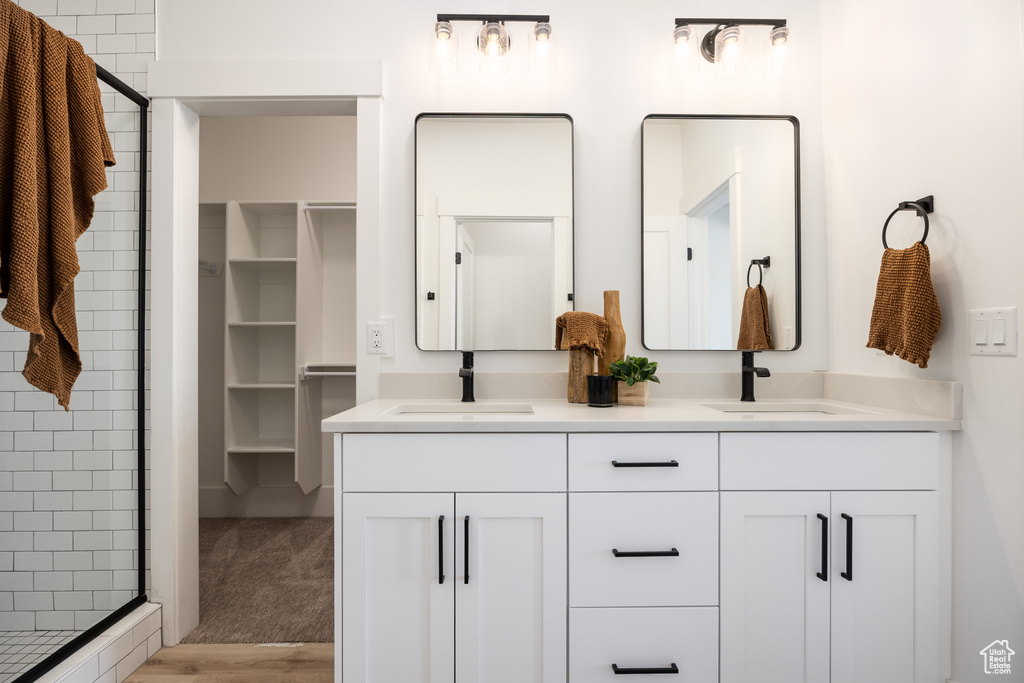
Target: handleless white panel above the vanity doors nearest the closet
{"x": 453, "y": 462}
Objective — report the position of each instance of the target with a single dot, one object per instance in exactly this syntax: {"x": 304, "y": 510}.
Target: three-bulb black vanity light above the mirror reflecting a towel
{"x": 726, "y": 47}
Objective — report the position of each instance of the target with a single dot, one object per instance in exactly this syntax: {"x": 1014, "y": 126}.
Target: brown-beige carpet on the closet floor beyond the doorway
{"x": 266, "y": 581}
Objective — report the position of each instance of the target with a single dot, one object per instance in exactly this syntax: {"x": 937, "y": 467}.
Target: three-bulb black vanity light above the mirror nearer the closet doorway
{"x": 494, "y": 44}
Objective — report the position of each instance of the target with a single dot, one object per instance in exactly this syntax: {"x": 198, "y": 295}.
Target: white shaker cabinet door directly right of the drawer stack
{"x": 775, "y": 609}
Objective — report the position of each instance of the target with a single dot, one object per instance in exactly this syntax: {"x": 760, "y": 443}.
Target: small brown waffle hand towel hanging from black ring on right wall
{"x": 907, "y": 317}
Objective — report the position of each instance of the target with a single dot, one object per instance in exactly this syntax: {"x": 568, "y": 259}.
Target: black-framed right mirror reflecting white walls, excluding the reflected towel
{"x": 718, "y": 193}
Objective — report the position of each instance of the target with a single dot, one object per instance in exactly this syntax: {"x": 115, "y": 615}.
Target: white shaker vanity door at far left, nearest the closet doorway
{"x": 398, "y": 613}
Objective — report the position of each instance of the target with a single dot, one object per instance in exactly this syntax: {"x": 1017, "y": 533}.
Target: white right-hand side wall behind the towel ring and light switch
{"x": 919, "y": 102}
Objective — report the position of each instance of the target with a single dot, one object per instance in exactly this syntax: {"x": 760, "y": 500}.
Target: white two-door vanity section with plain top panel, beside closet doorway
{"x": 454, "y": 559}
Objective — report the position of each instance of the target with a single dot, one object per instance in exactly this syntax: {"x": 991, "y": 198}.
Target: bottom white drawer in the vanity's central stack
{"x": 687, "y": 637}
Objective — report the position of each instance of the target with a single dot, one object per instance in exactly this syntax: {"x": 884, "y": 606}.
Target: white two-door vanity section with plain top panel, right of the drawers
{"x": 802, "y": 601}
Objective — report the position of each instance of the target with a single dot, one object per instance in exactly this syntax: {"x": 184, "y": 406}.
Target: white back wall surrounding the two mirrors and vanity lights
{"x": 613, "y": 72}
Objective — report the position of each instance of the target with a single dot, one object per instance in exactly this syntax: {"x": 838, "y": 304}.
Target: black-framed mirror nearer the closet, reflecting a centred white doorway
{"x": 494, "y": 230}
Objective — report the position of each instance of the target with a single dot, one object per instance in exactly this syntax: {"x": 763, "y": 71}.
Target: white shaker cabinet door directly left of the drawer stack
{"x": 511, "y": 605}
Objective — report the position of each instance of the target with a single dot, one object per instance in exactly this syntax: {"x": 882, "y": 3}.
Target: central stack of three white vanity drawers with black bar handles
{"x": 644, "y": 557}
